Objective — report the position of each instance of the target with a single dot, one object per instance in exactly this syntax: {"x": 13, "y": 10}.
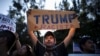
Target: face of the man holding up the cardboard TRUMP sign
{"x": 49, "y": 41}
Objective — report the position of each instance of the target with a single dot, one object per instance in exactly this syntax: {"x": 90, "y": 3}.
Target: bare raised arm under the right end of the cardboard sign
{"x": 69, "y": 36}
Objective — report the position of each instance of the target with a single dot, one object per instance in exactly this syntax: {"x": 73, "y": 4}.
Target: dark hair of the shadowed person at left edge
{"x": 10, "y": 37}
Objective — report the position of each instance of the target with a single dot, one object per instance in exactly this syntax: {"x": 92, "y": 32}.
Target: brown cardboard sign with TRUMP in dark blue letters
{"x": 50, "y": 19}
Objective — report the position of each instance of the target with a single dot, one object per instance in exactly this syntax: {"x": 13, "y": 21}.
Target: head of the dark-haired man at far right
{"x": 87, "y": 45}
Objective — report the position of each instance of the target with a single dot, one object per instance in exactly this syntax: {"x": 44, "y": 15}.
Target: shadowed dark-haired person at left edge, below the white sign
{"x": 7, "y": 40}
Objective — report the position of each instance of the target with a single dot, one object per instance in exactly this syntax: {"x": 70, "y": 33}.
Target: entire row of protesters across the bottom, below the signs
{"x": 47, "y": 48}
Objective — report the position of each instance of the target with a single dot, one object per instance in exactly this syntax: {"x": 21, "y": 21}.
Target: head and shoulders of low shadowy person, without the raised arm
{"x": 25, "y": 50}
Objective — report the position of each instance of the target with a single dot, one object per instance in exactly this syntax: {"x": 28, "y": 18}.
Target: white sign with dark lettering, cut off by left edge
{"x": 7, "y": 24}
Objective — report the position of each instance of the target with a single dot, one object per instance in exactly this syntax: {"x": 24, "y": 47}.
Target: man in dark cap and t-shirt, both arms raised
{"x": 48, "y": 48}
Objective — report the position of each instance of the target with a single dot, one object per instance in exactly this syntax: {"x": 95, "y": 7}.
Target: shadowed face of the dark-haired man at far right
{"x": 89, "y": 46}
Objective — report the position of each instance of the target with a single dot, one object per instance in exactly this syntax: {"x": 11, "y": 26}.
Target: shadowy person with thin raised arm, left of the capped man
{"x": 24, "y": 50}
